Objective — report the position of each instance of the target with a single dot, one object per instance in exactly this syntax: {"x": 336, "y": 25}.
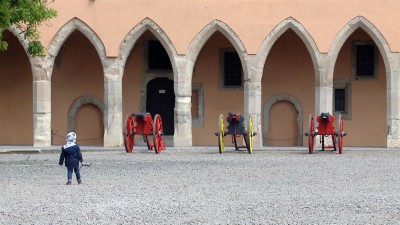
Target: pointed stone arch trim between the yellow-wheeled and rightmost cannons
{"x": 281, "y": 28}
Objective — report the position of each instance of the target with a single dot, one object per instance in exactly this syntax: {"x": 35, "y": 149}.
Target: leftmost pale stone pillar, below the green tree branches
{"x": 41, "y": 102}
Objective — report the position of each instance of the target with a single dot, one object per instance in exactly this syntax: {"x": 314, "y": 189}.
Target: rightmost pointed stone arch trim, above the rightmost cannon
{"x": 371, "y": 30}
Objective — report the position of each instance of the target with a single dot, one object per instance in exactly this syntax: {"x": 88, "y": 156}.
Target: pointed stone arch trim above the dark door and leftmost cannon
{"x": 133, "y": 36}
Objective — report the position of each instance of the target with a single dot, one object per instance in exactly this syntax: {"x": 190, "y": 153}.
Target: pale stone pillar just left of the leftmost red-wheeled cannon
{"x": 113, "y": 118}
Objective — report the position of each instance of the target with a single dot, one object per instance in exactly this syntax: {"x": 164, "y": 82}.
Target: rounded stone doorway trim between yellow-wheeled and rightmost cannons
{"x": 289, "y": 98}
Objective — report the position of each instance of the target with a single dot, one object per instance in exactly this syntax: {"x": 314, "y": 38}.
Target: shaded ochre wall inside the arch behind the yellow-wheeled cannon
{"x": 216, "y": 99}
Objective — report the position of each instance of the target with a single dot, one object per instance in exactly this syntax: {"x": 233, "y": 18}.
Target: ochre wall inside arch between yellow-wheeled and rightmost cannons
{"x": 288, "y": 70}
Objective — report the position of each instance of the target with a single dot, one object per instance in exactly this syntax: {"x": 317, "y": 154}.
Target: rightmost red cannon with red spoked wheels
{"x": 326, "y": 129}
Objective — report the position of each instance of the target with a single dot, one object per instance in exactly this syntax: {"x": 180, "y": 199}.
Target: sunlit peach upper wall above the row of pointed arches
{"x": 252, "y": 20}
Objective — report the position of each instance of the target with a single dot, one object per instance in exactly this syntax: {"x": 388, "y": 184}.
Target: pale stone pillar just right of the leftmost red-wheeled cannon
{"x": 183, "y": 102}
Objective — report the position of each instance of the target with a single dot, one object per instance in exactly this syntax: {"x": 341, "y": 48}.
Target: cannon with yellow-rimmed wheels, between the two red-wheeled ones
{"x": 236, "y": 129}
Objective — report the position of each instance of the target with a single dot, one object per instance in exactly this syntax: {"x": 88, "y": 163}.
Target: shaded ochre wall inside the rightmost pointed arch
{"x": 367, "y": 126}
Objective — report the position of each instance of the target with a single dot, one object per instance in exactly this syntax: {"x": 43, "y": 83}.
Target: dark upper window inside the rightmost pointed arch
{"x": 365, "y": 60}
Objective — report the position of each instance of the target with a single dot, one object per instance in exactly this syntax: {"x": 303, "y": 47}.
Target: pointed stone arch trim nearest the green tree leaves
{"x": 65, "y": 31}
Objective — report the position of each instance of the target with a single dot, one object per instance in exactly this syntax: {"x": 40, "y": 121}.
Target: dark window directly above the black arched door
{"x": 158, "y": 58}
